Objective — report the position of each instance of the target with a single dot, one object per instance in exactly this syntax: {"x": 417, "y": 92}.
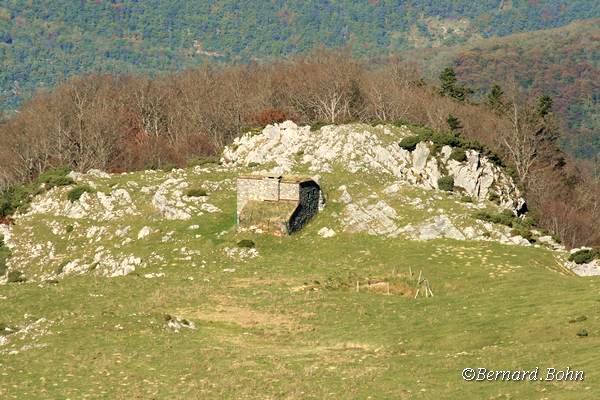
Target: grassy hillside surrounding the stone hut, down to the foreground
{"x": 201, "y": 317}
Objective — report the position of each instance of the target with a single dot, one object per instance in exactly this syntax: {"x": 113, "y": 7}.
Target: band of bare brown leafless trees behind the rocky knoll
{"x": 121, "y": 123}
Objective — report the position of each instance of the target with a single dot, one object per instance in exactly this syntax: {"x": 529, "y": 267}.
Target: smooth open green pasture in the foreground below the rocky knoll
{"x": 260, "y": 336}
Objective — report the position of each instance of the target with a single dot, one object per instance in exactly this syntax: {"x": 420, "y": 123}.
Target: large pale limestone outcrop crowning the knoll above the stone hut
{"x": 361, "y": 148}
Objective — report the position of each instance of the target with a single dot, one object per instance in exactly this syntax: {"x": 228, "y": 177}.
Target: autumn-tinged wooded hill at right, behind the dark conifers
{"x": 563, "y": 63}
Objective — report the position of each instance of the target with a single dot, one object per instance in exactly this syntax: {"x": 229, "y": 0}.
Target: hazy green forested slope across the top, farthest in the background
{"x": 43, "y": 42}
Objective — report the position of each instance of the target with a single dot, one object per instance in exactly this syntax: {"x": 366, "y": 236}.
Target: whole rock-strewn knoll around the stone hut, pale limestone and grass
{"x": 131, "y": 222}
